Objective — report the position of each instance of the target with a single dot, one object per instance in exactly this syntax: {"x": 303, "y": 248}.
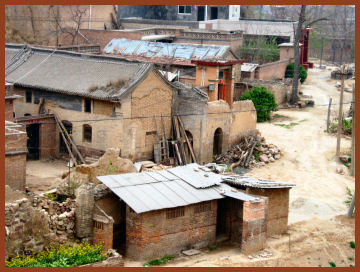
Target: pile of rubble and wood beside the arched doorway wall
{"x": 252, "y": 151}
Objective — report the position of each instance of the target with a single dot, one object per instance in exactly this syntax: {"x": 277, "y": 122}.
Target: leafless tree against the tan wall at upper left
{"x": 76, "y": 18}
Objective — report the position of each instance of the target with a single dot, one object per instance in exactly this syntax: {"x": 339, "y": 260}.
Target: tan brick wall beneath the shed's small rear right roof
{"x": 278, "y": 208}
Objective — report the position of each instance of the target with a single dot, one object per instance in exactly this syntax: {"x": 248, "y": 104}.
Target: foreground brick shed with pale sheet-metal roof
{"x": 165, "y": 212}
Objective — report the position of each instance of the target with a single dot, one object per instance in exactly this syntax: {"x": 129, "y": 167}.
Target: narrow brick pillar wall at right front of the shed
{"x": 254, "y": 227}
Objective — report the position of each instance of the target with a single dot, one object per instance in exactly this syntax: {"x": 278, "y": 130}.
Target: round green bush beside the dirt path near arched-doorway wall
{"x": 264, "y": 102}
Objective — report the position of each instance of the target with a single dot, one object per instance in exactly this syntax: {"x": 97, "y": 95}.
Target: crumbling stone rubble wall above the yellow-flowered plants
{"x": 27, "y": 229}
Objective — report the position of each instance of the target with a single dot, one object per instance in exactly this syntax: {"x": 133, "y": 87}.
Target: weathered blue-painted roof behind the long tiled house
{"x": 147, "y": 49}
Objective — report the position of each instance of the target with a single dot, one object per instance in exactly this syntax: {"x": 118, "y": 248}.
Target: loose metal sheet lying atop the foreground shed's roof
{"x": 192, "y": 174}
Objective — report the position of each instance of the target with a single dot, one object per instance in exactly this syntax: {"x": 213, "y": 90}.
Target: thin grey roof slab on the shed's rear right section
{"x": 255, "y": 183}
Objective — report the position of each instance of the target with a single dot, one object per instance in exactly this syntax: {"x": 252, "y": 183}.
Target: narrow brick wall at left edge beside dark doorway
{"x": 15, "y": 158}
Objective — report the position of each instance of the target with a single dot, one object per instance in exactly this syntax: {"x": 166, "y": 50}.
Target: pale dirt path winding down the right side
{"x": 319, "y": 231}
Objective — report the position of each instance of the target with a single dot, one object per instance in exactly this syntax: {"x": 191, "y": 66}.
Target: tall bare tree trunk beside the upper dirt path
{"x": 294, "y": 93}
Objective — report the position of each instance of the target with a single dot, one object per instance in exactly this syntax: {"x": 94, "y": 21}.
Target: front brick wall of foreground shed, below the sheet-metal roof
{"x": 151, "y": 235}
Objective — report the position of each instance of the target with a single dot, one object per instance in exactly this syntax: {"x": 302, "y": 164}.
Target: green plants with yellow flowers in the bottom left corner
{"x": 61, "y": 256}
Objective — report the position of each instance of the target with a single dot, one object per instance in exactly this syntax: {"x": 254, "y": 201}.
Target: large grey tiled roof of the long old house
{"x": 72, "y": 73}
